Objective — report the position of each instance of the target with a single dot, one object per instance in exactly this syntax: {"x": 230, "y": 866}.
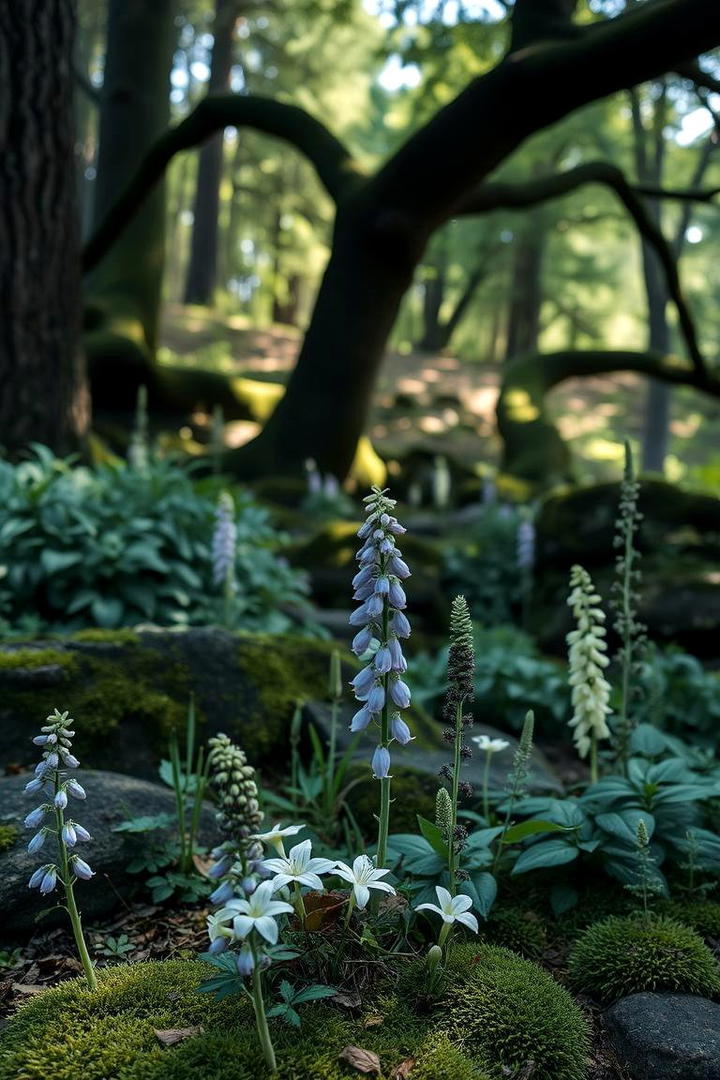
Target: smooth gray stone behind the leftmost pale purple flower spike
{"x": 112, "y": 799}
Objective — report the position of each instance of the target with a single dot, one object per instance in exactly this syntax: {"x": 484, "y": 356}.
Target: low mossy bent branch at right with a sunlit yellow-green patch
{"x": 534, "y": 450}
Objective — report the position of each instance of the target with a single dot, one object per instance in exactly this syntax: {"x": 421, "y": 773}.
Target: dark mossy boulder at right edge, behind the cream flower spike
{"x": 680, "y": 541}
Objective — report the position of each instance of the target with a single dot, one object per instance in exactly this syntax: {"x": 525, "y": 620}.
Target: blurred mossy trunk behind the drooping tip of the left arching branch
{"x": 126, "y": 289}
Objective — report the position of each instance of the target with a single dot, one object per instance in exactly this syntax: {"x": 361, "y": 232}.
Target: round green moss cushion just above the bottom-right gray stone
{"x": 622, "y": 956}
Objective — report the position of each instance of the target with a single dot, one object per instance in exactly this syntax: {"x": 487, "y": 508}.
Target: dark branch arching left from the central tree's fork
{"x": 333, "y": 163}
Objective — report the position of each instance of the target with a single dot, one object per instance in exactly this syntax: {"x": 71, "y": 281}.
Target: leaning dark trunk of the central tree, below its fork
{"x": 324, "y": 410}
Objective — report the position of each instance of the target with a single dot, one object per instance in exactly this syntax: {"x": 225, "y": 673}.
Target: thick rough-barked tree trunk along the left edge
{"x": 44, "y": 391}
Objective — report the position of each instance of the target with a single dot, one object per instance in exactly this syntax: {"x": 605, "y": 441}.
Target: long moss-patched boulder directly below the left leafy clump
{"x": 129, "y": 691}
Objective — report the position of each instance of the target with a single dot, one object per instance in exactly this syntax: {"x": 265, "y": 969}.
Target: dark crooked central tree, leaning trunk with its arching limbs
{"x": 385, "y": 222}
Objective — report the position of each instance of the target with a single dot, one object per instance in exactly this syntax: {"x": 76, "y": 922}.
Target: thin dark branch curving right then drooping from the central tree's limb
{"x": 514, "y": 196}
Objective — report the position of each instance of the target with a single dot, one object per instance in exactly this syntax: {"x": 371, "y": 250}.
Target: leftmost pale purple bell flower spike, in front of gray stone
{"x": 48, "y": 820}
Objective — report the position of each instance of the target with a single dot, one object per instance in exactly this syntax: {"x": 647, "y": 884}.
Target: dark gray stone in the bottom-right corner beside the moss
{"x": 667, "y": 1036}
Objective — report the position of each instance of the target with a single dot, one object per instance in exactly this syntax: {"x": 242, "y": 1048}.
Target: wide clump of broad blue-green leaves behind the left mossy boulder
{"x": 116, "y": 546}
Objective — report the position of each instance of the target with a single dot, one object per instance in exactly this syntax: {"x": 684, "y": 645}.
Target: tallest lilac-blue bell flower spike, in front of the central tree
{"x": 383, "y": 626}
